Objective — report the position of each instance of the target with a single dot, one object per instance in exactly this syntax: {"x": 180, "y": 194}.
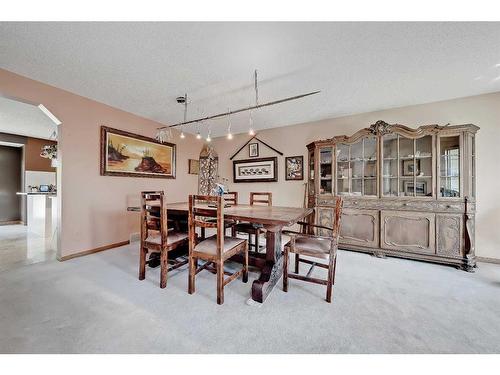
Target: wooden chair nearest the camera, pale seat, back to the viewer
{"x": 216, "y": 249}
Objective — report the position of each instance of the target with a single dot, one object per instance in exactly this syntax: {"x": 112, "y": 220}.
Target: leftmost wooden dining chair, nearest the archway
{"x": 157, "y": 237}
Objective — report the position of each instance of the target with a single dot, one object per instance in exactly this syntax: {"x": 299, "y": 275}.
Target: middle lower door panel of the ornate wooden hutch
{"x": 408, "y": 231}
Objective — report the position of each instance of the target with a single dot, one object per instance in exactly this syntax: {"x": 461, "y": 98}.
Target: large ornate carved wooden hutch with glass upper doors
{"x": 407, "y": 192}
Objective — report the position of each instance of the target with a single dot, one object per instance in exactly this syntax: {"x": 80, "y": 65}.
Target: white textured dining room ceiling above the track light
{"x": 360, "y": 67}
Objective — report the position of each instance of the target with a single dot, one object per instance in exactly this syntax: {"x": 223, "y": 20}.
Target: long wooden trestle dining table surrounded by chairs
{"x": 273, "y": 219}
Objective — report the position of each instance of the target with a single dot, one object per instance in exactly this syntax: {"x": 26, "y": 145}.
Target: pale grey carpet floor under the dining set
{"x": 96, "y": 304}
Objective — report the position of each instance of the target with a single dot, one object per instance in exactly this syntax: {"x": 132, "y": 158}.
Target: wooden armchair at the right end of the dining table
{"x": 315, "y": 246}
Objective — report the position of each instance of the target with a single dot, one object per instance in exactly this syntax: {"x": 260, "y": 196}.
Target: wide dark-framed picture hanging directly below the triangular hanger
{"x": 255, "y": 170}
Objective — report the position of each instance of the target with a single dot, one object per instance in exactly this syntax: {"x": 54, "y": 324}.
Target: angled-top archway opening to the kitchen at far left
{"x": 29, "y": 194}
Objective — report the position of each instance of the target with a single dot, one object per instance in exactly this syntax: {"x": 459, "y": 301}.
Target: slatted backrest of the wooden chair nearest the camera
{"x": 206, "y": 206}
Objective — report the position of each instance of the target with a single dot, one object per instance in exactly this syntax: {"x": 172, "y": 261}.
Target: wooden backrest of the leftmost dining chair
{"x": 153, "y": 216}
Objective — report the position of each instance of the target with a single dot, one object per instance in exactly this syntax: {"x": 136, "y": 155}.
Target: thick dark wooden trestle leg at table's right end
{"x": 273, "y": 268}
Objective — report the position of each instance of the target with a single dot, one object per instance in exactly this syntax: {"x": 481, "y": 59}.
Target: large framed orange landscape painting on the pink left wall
{"x": 132, "y": 155}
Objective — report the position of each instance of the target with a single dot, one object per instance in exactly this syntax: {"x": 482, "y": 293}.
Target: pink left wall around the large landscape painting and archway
{"x": 93, "y": 206}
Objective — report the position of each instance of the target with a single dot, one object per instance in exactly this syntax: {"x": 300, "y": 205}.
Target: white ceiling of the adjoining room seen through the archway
{"x": 24, "y": 119}
